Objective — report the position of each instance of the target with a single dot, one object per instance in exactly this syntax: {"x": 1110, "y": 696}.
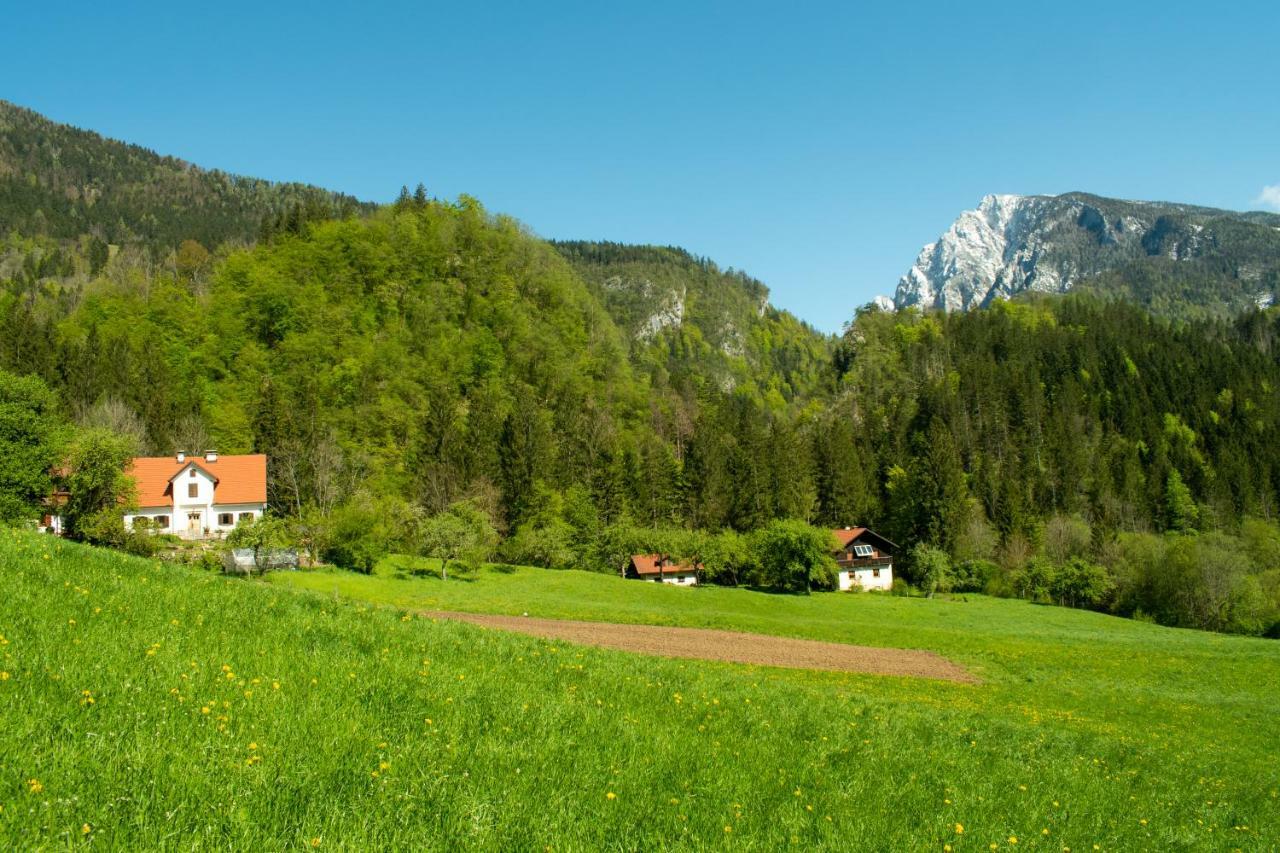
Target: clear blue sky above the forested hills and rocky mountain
{"x": 816, "y": 147}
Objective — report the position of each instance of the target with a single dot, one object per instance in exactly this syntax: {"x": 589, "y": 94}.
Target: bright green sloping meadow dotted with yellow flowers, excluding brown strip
{"x": 153, "y": 706}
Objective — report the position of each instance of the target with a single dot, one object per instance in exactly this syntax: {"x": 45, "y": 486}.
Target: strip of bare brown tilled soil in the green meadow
{"x": 711, "y": 645}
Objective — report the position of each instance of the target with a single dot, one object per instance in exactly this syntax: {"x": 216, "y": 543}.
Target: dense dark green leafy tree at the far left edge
{"x": 31, "y": 444}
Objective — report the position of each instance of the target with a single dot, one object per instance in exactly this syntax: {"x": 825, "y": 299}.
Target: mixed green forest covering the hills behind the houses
{"x": 589, "y": 399}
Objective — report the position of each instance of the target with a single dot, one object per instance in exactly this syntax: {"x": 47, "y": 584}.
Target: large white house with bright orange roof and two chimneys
{"x": 198, "y": 498}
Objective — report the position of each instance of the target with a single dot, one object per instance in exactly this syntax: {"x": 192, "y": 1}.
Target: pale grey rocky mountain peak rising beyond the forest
{"x": 1011, "y": 245}
